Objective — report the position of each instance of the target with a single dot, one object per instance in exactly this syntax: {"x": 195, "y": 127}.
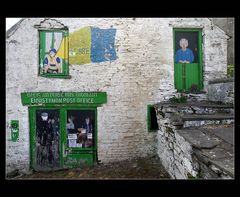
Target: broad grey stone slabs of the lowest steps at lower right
{"x": 213, "y": 147}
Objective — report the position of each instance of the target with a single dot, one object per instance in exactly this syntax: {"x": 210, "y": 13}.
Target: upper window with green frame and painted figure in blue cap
{"x": 53, "y": 53}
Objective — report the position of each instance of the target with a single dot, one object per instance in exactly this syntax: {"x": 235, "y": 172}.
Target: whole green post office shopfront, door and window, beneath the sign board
{"x": 62, "y": 137}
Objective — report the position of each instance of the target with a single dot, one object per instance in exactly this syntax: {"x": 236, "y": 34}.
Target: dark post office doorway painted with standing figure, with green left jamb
{"x": 45, "y": 139}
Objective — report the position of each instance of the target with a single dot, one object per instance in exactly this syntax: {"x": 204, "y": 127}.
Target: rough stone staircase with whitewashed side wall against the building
{"x": 184, "y": 148}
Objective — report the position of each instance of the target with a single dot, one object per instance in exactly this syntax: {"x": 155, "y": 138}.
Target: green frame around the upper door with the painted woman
{"x": 200, "y": 52}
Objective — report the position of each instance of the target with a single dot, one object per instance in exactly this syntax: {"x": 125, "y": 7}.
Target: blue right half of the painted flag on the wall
{"x": 102, "y": 44}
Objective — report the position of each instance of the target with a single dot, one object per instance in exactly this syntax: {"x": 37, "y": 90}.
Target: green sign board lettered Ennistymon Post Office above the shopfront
{"x": 45, "y": 98}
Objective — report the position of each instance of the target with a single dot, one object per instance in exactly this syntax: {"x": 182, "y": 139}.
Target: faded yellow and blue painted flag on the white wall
{"x": 92, "y": 44}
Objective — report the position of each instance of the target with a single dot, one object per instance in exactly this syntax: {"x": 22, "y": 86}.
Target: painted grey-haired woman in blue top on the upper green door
{"x": 184, "y": 55}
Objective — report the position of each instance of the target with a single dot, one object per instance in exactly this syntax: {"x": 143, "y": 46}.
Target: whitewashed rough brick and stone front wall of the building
{"x": 141, "y": 75}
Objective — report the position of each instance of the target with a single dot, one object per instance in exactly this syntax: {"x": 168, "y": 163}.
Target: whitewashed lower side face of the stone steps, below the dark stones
{"x": 176, "y": 154}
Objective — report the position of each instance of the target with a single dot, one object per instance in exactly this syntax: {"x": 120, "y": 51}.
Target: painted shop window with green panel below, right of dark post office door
{"x": 79, "y": 137}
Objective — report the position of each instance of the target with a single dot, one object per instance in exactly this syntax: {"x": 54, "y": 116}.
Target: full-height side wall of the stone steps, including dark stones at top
{"x": 174, "y": 151}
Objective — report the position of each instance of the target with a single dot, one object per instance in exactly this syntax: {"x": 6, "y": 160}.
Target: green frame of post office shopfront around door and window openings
{"x": 62, "y": 124}
